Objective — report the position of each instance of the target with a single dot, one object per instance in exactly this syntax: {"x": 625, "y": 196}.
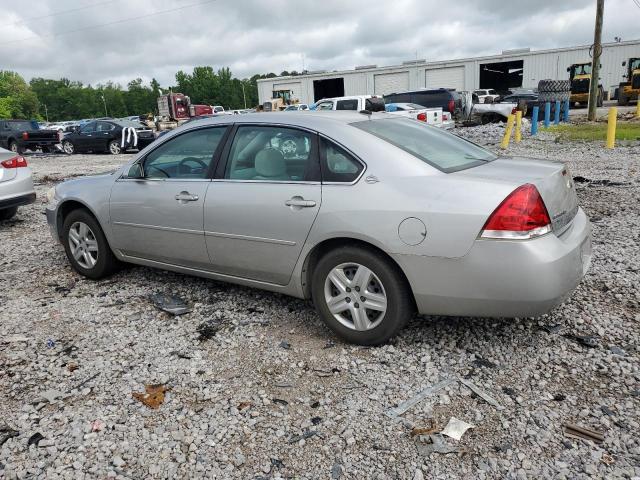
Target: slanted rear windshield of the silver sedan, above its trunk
{"x": 442, "y": 150}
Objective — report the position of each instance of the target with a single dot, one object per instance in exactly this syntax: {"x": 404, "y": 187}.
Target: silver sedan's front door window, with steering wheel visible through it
{"x": 186, "y": 156}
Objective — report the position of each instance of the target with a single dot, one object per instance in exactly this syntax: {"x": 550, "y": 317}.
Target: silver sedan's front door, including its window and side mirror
{"x": 159, "y": 217}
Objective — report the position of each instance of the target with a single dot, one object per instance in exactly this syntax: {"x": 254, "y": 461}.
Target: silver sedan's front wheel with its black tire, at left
{"x": 96, "y": 260}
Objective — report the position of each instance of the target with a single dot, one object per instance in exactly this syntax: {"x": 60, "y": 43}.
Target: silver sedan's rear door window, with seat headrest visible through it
{"x": 271, "y": 154}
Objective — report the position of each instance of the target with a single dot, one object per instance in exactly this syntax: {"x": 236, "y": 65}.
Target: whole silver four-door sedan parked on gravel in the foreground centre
{"x": 373, "y": 217}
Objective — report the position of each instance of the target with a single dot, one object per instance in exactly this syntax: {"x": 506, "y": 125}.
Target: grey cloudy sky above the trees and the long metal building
{"x": 98, "y": 40}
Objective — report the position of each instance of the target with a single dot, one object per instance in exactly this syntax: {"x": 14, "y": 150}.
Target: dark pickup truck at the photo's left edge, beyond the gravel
{"x": 20, "y": 135}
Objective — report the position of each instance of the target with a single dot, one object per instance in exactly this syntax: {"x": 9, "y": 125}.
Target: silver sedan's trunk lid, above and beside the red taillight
{"x": 552, "y": 179}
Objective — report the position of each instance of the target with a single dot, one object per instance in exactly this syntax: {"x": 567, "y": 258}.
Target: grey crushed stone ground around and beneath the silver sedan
{"x": 266, "y": 391}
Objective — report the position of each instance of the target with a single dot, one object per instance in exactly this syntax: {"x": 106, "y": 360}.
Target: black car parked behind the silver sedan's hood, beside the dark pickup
{"x": 106, "y": 136}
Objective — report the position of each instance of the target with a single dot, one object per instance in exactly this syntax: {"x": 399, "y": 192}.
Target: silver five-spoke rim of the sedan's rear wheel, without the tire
{"x": 355, "y": 296}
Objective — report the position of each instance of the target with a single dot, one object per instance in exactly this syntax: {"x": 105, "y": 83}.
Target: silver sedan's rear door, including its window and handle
{"x": 260, "y": 210}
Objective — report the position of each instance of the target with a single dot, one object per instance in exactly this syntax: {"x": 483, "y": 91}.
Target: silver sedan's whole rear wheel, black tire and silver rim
{"x": 383, "y": 281}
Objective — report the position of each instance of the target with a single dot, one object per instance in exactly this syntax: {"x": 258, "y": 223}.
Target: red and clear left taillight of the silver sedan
{"x": 521, "y": 215}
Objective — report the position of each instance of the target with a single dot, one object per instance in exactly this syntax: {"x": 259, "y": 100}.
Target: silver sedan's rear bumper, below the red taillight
{"x": 500, "y": 278}
